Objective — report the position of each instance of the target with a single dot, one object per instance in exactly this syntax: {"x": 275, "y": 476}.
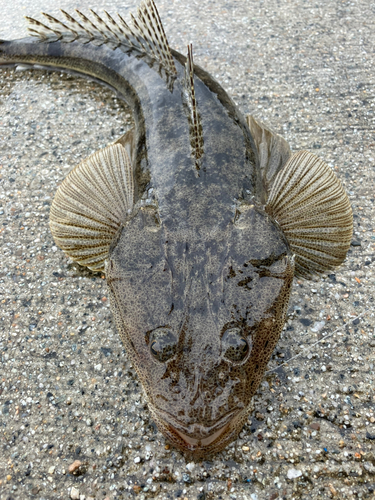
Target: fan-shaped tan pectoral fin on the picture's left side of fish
{"x": 92, "y": 203}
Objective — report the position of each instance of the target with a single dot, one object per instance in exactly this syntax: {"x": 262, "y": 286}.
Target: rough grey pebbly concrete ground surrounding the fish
{"x": 67, "y": 390}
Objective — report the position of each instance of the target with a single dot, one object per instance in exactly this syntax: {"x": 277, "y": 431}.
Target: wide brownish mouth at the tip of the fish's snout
{"x": 197, "y": 439}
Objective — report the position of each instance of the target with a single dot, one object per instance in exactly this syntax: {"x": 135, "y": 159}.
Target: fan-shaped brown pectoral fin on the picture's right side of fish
{"x": 310, "y": 205}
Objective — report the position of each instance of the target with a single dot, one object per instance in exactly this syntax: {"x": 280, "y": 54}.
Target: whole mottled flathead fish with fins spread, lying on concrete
{"x": 199, "y": 216}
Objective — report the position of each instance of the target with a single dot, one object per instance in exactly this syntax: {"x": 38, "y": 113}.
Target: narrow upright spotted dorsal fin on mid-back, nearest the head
{"x": 196, "y": 131}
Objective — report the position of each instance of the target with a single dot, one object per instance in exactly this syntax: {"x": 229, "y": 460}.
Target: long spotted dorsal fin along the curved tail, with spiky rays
{"x": 147, "y": 34}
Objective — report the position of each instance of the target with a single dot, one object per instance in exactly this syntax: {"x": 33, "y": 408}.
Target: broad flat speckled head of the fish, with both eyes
{"x": 200, "y": 314}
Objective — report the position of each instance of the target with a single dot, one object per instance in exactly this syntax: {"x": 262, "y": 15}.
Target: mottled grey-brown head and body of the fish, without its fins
{"x": 200, "y": 276}
